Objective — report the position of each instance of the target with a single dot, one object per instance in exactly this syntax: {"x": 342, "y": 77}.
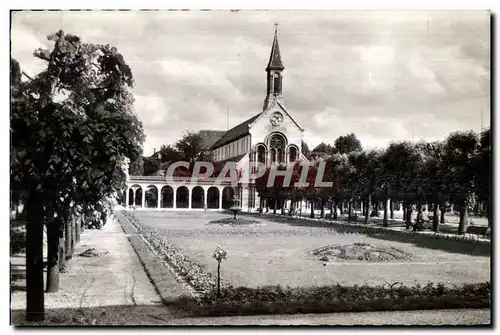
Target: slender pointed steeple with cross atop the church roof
{"x": 274, "y": 71}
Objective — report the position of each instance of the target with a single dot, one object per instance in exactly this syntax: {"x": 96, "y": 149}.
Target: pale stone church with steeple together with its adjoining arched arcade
{"x": 271, "y": 137}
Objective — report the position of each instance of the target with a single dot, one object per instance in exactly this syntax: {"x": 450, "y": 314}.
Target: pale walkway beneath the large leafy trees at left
{"x": 116, "y": 278}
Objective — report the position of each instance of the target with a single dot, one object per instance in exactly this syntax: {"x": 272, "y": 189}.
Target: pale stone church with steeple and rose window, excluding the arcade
{"x": 271, "y": 136}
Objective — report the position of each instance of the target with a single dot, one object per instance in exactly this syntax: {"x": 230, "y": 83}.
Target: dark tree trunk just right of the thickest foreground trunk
{"x": 52, "y": 257}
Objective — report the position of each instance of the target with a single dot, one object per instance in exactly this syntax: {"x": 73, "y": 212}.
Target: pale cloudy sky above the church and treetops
{"x": 385, "y": 76}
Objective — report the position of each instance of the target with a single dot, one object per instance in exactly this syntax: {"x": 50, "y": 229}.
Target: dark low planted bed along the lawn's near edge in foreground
{"x": 335, "y": 298}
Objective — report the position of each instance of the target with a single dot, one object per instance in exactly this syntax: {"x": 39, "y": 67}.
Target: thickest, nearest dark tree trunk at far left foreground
{"x": 34, "y": 258}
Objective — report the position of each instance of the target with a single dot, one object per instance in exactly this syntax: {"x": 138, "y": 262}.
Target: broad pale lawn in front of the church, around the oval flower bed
{"x": 273, "y": 253}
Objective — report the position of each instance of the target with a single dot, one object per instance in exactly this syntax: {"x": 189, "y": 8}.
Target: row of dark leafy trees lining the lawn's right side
{"x": 455, "y": 171}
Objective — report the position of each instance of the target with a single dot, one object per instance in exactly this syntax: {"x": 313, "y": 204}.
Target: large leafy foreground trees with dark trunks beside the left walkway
{"x": 72, "y": 126}
